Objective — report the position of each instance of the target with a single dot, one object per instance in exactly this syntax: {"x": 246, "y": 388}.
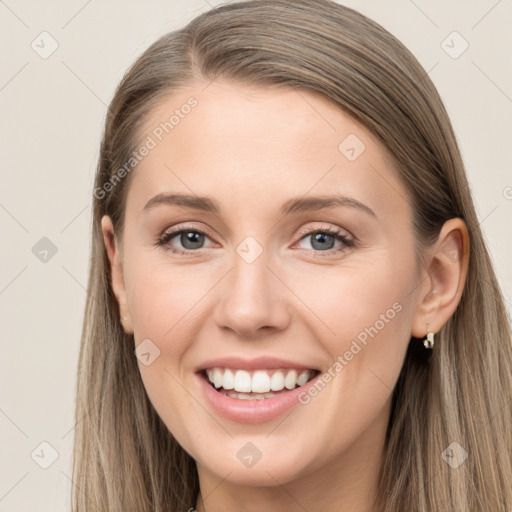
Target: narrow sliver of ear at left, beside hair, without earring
{"x": 116, "y": 272}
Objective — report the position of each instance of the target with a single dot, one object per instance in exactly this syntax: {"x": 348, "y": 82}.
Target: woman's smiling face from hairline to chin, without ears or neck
{"x": 297, "y": 252}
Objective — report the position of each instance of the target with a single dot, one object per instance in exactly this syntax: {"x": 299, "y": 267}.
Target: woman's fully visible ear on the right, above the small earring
{"x": 443, "y": 281}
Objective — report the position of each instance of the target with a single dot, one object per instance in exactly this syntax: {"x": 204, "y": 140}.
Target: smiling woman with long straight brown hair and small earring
{"x": 291, "y": 304}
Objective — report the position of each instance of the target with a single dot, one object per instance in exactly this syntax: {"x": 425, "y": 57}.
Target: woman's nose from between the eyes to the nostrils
{"x": 253, "y": 299}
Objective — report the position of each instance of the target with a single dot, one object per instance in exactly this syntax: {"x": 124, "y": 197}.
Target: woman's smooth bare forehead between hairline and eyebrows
{"x": 247, "y": 144}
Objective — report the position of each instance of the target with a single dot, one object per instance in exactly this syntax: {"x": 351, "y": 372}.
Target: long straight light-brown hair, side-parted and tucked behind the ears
{"x": 125, "y": 459}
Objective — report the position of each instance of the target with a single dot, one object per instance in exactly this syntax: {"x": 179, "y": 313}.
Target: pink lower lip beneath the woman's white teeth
{"x": 252, "y": 411}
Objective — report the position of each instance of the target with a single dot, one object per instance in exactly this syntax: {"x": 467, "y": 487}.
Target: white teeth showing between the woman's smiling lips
{"x": 256, "y": 384}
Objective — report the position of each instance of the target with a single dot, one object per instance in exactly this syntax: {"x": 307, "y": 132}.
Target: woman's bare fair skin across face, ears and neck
{"x": 252, "y": 149}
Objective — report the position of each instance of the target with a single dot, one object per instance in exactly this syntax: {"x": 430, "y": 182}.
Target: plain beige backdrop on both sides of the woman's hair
{"x": 52, "y": 115}
